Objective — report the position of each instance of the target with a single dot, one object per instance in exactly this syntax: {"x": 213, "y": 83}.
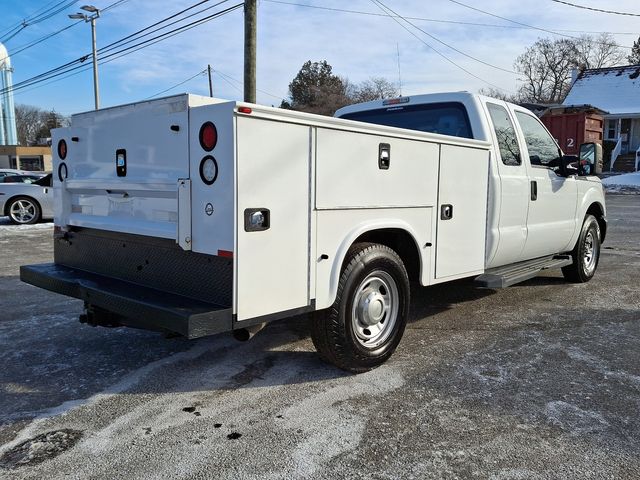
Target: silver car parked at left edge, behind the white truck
{"x": 26, "y": 203}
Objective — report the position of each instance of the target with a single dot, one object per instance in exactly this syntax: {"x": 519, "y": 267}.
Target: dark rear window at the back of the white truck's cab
{"x": 445, "y": 118}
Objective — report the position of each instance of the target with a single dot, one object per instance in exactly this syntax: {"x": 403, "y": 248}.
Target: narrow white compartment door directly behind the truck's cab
{"x": 462, "y": 212}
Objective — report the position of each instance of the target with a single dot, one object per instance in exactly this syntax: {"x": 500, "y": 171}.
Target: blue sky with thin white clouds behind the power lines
{"x": 358, "y": 46}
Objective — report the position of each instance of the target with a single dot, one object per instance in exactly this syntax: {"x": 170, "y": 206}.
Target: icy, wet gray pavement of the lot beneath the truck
{"x": 541, "y": 380}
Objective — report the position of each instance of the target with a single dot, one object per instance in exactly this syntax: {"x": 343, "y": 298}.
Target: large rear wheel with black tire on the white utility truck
{"x": 363, "y": 327}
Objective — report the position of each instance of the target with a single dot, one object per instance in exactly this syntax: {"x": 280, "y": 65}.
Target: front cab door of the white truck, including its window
{"x": 553, "y": 199}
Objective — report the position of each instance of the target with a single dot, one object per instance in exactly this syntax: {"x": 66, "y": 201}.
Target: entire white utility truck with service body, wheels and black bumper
{"x": 196, "y": 216}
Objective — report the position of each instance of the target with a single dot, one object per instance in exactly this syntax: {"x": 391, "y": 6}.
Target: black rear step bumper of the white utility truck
{"x": 134, "y": 305}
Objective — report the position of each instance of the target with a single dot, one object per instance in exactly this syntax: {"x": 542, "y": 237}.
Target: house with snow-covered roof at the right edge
{"x": 617, "y": 91}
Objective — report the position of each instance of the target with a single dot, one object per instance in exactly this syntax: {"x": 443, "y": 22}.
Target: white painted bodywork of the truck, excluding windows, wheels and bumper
{"x": 323, "y": 186}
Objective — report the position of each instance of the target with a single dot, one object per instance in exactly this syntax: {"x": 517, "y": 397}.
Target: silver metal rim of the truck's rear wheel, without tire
{"x": 375, "y": 309}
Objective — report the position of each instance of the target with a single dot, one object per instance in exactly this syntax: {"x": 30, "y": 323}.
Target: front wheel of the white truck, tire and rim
{"x": 586, "y": 253}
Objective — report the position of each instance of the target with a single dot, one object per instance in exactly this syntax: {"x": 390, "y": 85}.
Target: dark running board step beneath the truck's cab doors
{"x": 507, "y": 275}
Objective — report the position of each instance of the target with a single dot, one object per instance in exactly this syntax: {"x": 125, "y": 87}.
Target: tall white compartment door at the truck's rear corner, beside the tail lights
{"x": 273, "y": 181}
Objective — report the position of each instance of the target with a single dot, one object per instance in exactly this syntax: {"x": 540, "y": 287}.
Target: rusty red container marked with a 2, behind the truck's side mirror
{"x": 573, "y": 126}
